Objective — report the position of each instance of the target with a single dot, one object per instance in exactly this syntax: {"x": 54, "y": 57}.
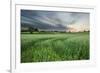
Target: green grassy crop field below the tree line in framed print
{"x": 54, "y": 47}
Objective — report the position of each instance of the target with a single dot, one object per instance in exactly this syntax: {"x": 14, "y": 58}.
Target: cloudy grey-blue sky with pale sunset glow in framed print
{"x": 56, "y": 20}
